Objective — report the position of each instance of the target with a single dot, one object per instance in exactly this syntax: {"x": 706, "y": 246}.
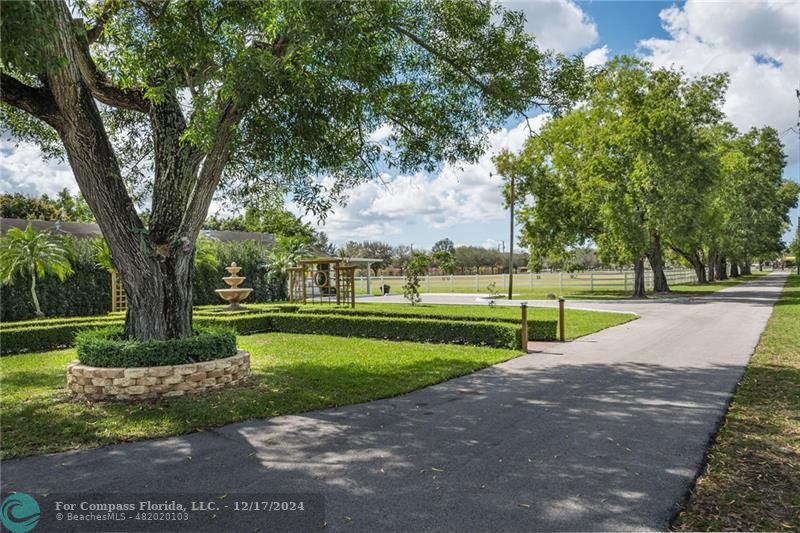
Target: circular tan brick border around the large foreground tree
{"x": 139, "y": 383}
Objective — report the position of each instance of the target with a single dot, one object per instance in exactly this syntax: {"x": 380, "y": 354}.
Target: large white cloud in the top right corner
{"x": 756, "y": 42}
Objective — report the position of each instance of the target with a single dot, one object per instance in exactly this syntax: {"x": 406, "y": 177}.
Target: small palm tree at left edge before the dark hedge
{"x": 35, "y": 254}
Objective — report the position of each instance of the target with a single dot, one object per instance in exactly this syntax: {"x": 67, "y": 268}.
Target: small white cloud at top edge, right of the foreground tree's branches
{"x": 557, "y": 24}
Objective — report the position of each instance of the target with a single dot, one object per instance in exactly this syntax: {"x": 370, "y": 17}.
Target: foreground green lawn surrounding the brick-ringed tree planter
{"x": 291, "y": 374}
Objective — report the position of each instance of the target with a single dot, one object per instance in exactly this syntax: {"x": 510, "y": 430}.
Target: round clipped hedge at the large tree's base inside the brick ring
{"x": 106, "y": 347}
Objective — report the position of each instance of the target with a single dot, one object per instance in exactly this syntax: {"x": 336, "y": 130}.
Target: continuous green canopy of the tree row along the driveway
{"x": 646, "y": 163}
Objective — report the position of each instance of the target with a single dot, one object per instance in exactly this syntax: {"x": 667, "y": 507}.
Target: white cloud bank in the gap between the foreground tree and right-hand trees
{"x": 459, "y": 194}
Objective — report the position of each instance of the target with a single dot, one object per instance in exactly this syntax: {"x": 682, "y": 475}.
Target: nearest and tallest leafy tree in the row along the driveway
{"x": 624, "y": 170}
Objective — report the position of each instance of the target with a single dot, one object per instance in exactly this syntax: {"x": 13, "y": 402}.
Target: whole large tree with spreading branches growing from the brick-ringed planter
{"x": 164, "y": 102}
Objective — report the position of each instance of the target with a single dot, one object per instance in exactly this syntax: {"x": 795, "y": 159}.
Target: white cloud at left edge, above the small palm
{"x": 23, "y": 170}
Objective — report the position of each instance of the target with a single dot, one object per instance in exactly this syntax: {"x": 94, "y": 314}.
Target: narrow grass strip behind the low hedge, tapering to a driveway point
{"x": 577, "y": 323}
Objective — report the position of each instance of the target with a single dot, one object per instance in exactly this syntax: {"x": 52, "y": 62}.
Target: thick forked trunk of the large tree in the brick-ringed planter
{"x": 154, "y": 264}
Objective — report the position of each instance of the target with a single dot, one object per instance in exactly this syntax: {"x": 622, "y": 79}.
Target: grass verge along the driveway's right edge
{"x": 752, "y": 480}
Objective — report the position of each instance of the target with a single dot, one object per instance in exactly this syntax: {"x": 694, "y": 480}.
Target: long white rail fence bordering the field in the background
{"x": 529, "y": 282}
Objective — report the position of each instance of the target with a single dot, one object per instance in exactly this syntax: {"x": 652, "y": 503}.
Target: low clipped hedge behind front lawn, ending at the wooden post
{"x": 396, "y": 328}
